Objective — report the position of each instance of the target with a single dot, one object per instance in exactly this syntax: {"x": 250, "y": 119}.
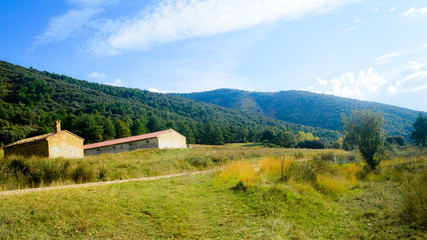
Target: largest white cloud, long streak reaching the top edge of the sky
{"x": 175, "y": 20}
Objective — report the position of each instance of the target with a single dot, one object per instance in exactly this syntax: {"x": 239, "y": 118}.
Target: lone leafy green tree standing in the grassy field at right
{"x": 364, "y": 130}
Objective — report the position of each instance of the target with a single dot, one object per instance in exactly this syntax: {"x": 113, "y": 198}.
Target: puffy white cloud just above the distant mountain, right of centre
{"x": 349, "y": 85}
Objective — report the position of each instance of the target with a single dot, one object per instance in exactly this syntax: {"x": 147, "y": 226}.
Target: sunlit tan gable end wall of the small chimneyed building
{"x": 65, "y": 145}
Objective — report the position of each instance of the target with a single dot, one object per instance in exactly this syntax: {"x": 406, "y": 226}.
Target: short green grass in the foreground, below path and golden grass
{"x": 190, "y": 207}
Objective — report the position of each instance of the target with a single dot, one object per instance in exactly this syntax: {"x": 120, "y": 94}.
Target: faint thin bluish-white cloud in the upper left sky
{"x": 67, "y": 25}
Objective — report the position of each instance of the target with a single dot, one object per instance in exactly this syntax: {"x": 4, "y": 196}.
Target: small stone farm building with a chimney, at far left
{"x": 52, "y": 145}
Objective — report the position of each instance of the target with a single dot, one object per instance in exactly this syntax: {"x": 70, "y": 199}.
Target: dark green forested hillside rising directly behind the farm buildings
{"x": 31, "y": 100}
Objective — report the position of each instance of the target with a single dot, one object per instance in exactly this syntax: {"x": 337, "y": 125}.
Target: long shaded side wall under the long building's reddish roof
{"x": 123, "y": 147}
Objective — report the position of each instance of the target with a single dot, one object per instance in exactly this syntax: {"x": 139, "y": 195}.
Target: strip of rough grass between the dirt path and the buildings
{"x": 39, "y": 172}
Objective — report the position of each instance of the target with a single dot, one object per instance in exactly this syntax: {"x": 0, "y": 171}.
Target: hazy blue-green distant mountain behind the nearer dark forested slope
{"x": 306, "y": 108}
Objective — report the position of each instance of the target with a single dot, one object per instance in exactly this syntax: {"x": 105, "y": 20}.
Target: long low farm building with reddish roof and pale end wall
{"x": 162, "y": 139}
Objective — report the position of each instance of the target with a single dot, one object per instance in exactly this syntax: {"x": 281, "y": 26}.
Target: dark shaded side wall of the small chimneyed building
{"x": 38, "y": 148}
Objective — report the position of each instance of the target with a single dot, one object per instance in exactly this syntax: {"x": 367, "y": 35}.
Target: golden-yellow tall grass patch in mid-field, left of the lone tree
{"x": 323, "y": 176}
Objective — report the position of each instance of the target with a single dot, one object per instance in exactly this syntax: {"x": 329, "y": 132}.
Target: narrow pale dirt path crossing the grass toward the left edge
{"x": 13, "y": 192}
